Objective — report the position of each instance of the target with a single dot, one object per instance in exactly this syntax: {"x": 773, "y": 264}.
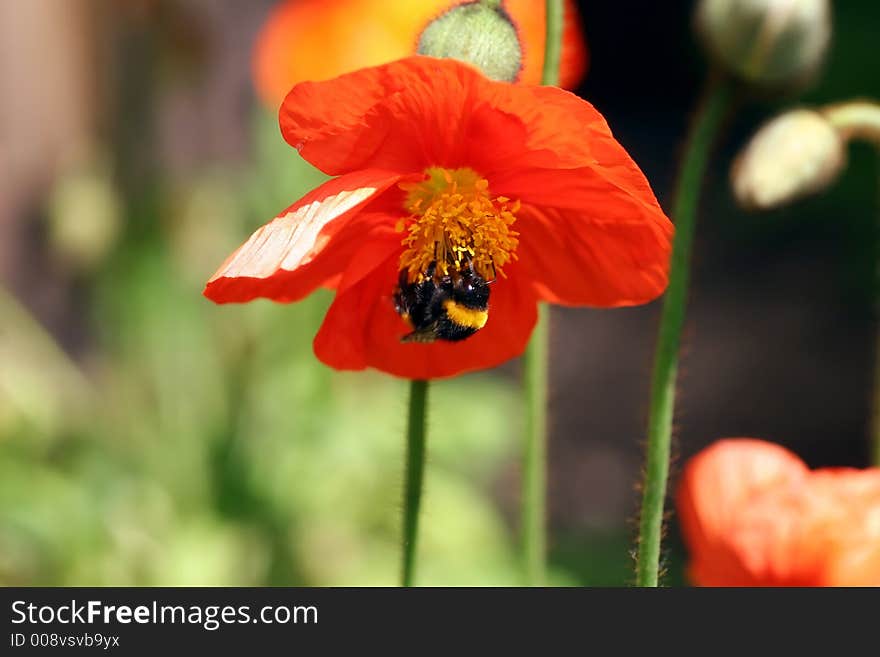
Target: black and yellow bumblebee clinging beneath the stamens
{"x": 451, "y": 307}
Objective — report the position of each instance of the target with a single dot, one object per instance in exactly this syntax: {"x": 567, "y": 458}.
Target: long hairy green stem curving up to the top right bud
{"x": 702, "y": 135}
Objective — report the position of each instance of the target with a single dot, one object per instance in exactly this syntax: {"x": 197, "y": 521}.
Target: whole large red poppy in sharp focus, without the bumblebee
{"x": 437, "y": 163}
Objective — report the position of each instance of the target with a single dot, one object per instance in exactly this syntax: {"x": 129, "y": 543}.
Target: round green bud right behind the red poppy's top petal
{"x": 480, "y": 33}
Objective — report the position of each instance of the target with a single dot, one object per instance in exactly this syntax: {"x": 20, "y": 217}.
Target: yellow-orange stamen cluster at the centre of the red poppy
{"x": 455, "y": 222}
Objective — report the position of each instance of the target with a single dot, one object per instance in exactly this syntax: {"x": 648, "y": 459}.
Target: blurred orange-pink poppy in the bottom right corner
{"x": 753, "y": 514}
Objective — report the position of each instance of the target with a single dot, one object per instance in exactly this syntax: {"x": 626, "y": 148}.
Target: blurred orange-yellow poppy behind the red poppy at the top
{"x": 321, "y": 39}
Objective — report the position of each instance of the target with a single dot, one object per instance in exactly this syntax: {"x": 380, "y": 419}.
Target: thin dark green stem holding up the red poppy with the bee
{"x": 415, "y": 471}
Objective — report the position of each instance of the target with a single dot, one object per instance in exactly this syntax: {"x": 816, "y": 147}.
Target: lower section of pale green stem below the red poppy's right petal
{"x": 534, "y": 483}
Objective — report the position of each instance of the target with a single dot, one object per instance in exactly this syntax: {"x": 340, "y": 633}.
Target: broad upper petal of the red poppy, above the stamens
{"x": 422, "y": 111}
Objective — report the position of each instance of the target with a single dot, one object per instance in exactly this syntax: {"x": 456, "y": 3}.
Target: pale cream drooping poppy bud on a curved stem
{"x": 793, "y": 155}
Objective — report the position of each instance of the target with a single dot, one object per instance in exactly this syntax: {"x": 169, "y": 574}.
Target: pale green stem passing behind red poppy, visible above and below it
{"x": 534, "y": 475}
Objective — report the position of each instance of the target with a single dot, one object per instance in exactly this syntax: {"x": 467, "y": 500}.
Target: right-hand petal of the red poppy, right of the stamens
{"x": 573, "y": 258}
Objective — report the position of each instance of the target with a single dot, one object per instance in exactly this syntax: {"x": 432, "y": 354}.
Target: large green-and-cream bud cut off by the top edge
{"x": 767, "y": 42}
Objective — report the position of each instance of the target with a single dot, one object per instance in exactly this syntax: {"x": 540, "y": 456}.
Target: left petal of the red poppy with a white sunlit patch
{"x": 306, "y": 245}
